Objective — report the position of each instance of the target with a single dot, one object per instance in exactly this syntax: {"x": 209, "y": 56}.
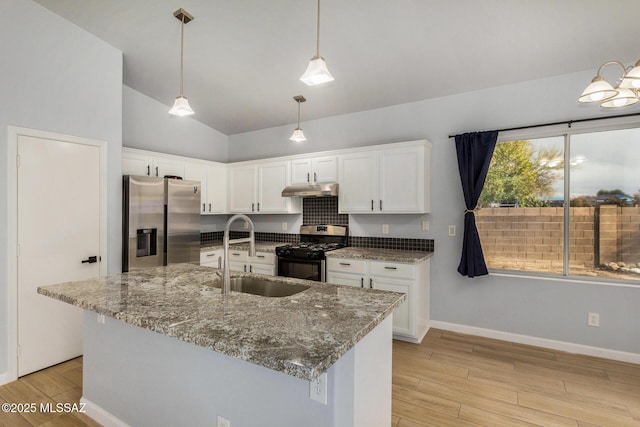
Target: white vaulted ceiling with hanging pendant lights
{"x": 243, "y": 58}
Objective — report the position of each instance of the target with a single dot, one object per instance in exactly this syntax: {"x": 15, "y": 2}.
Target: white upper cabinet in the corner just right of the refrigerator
{"x": 213, "y": 179}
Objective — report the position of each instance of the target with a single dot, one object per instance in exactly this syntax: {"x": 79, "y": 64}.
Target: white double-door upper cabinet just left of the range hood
{"x": 257, "y": 188}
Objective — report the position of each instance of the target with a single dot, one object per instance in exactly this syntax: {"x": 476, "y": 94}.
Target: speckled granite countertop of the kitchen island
{"x": 301, "y": 335}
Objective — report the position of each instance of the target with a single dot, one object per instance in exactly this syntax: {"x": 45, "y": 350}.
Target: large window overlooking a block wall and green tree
{"x": 564, "y": 205}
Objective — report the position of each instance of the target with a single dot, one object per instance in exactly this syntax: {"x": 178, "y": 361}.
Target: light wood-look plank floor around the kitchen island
{"x": 448, "y": 380}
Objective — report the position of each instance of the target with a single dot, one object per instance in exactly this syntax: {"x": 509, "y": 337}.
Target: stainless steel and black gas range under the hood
{"x": 306, "y": 260}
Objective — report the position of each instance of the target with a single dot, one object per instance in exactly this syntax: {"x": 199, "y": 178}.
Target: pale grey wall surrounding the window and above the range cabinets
{"x": 555, "y": 310}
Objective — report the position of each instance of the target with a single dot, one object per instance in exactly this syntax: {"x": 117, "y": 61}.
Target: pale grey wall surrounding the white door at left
{"x": 57, "y": 78}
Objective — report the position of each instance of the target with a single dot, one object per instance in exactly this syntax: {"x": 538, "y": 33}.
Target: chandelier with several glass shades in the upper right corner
{"x": 627, "y": 92}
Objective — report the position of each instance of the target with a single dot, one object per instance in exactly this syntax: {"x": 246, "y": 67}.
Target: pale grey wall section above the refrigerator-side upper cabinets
{"x": 147, "y": 125}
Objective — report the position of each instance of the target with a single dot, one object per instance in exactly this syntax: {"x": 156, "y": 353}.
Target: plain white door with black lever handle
{"x": 58, "y": 227}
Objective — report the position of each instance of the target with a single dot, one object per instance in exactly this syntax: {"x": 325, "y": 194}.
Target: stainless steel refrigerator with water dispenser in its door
{"x": 160, "y": 222}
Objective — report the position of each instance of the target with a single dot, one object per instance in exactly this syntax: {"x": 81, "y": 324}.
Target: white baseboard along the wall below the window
{"x": 568, "y": 347}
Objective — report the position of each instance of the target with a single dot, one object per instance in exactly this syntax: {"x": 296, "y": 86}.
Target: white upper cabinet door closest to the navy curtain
{"x": 402, "y": 180}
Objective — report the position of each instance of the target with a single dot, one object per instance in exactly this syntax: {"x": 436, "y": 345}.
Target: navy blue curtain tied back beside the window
{"x": 474, "y": 155}
